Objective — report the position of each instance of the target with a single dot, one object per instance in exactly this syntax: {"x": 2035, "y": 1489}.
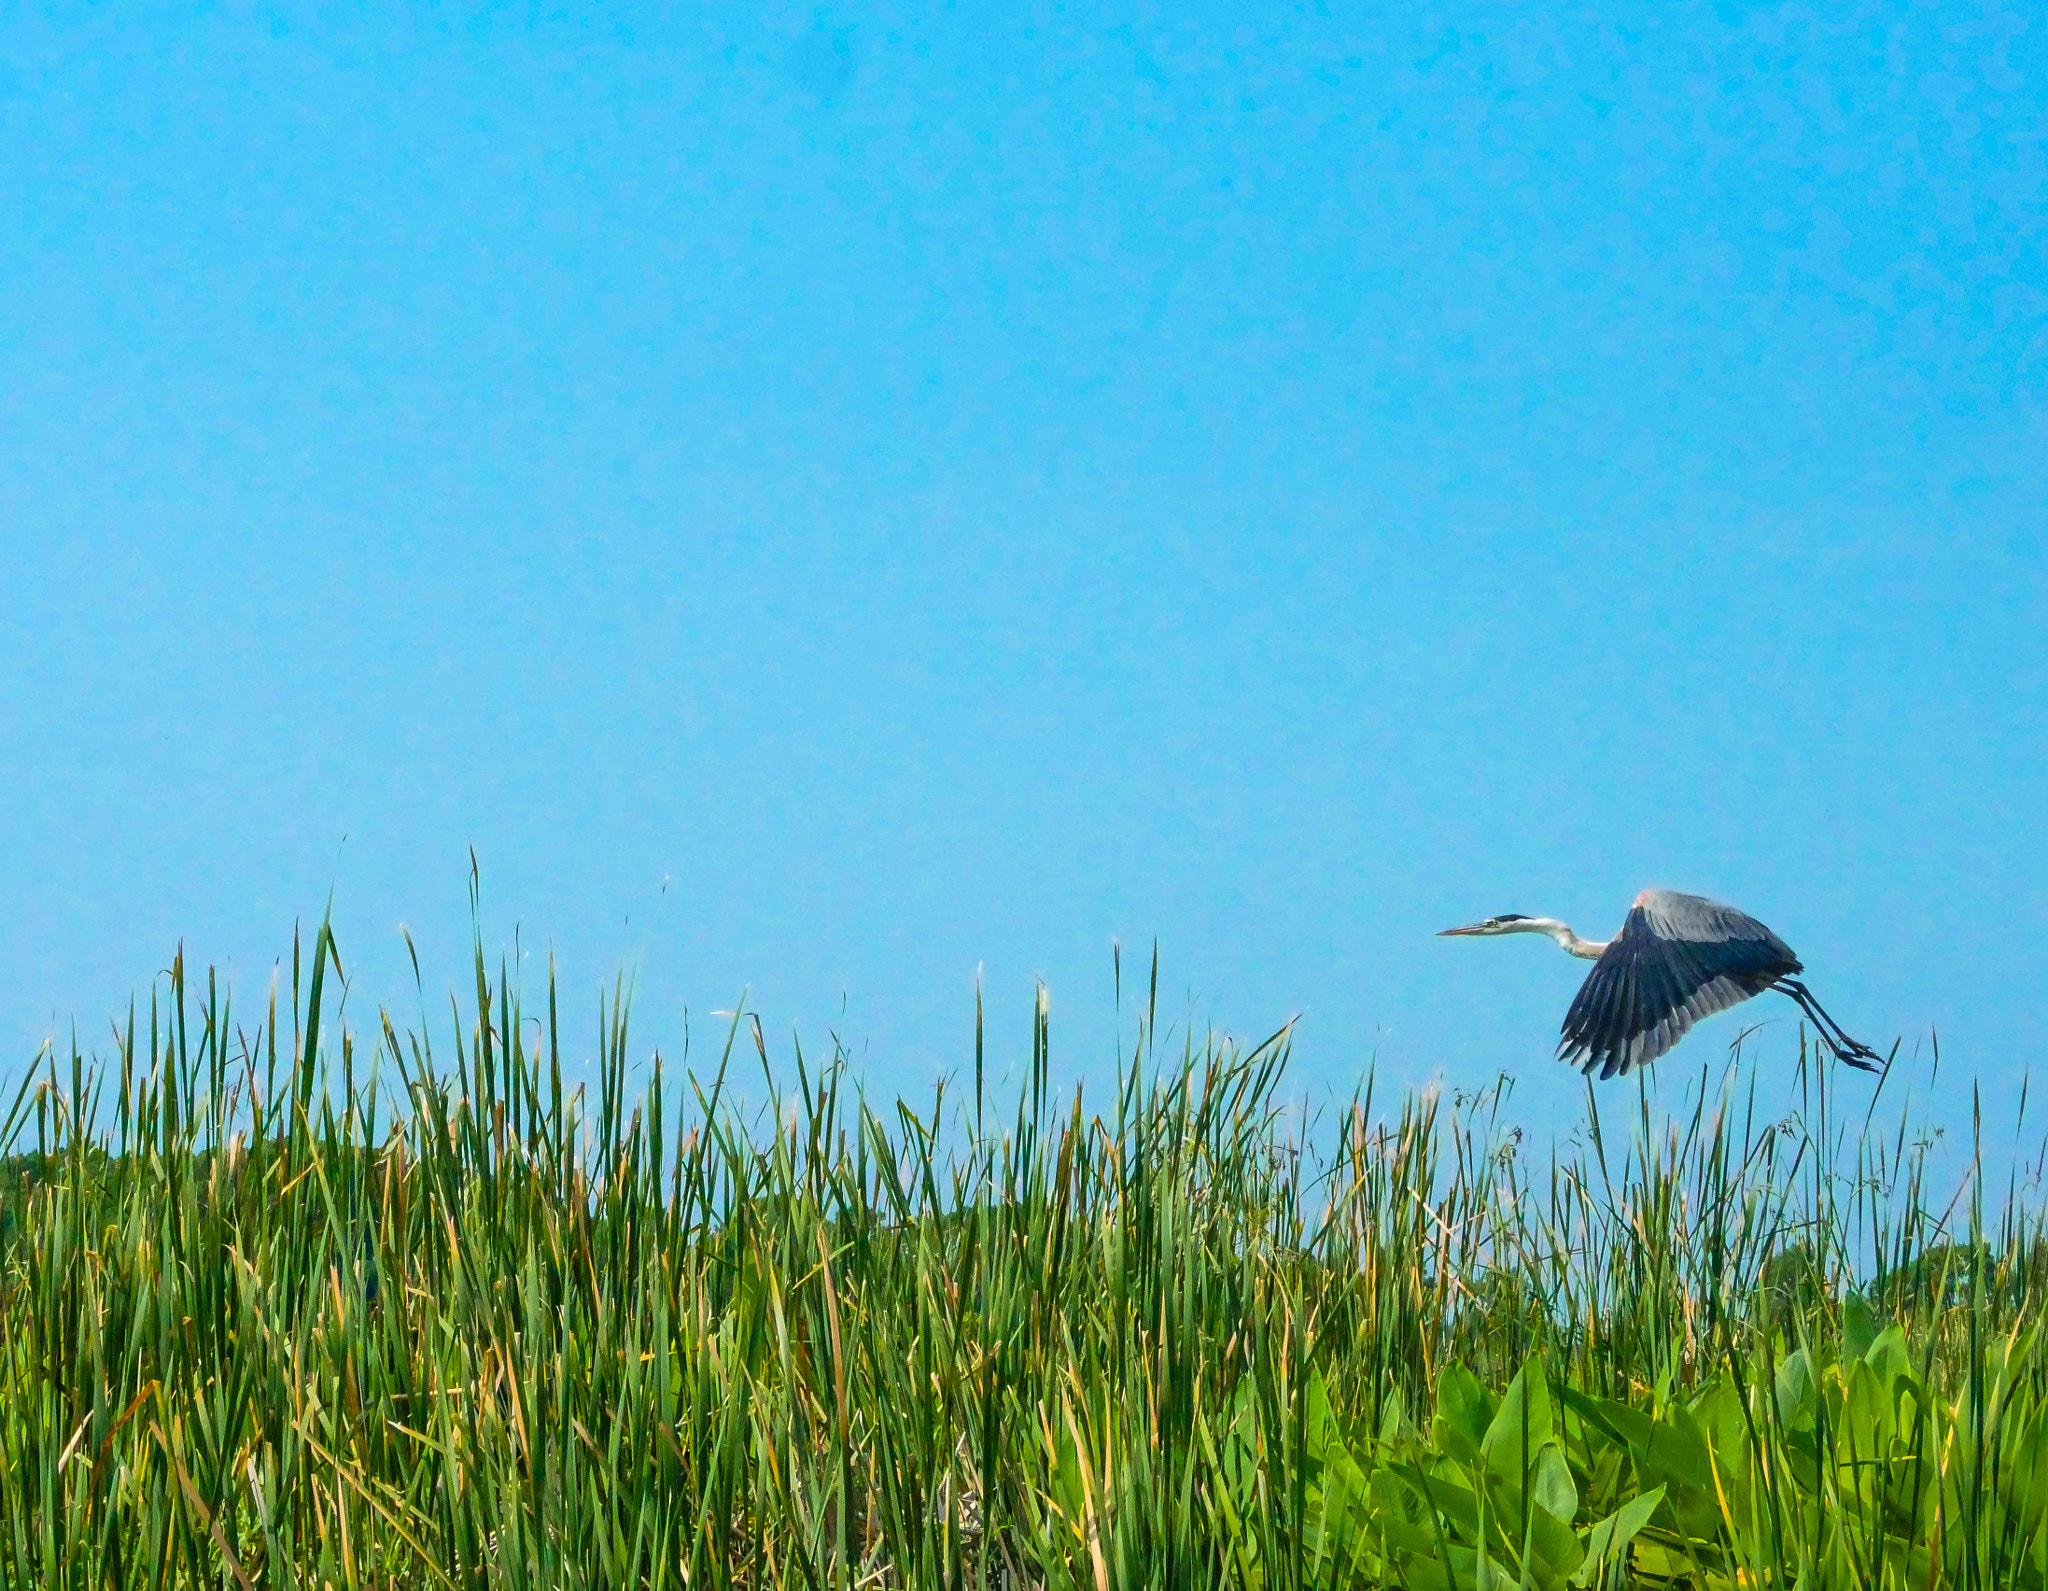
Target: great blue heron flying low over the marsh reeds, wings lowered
{"x": 1678, "y": 957}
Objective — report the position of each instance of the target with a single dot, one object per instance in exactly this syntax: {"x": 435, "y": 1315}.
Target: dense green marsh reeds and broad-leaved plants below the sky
{"x": 292, "y": 1307}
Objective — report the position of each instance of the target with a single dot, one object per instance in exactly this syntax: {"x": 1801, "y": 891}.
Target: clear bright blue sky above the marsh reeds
{"x": 826, "y": 499}
